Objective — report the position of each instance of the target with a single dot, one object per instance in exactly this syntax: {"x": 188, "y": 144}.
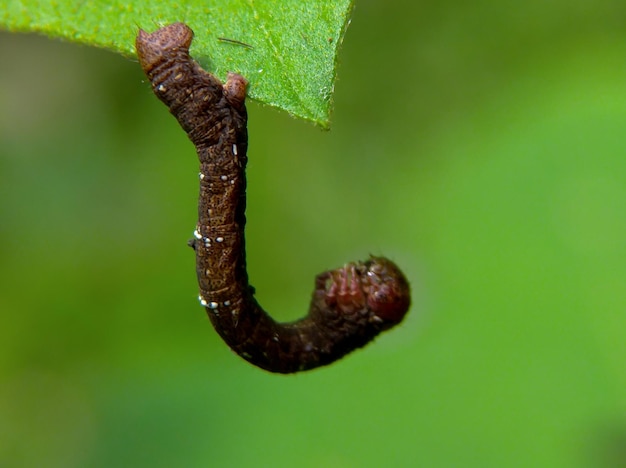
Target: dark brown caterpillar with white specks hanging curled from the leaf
{"x": 350, "y": 305}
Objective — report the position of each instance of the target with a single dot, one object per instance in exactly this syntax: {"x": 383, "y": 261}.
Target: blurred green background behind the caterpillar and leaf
{"x": 481, "y": 146}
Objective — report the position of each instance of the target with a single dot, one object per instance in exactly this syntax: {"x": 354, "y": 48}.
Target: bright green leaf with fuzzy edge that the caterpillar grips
{"x": 286, "y": 49}
